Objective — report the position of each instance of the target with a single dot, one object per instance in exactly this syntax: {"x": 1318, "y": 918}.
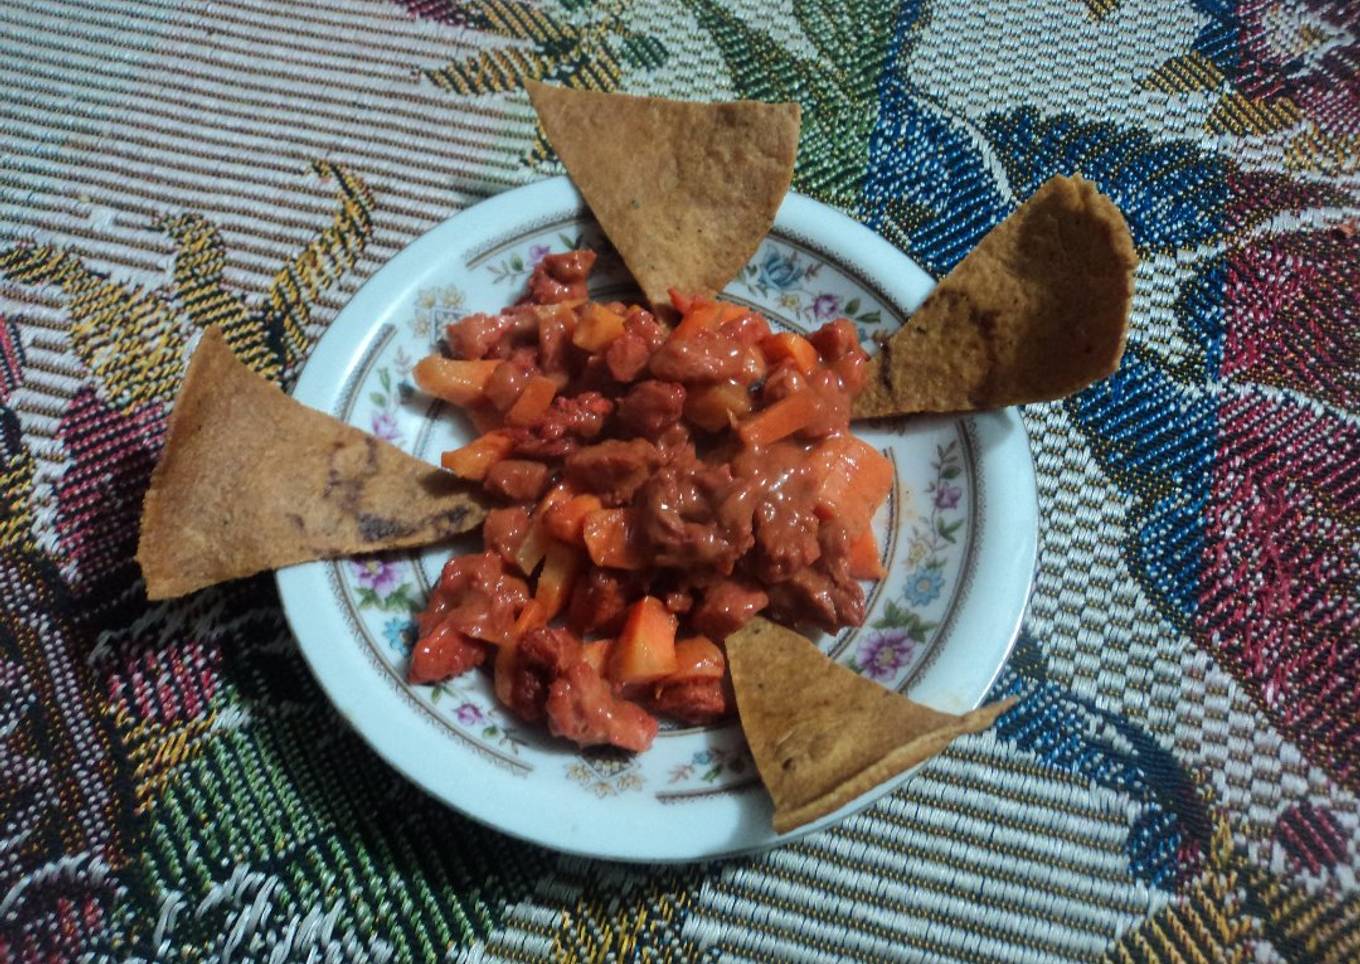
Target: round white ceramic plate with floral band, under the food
{"x": 958, "y": 535}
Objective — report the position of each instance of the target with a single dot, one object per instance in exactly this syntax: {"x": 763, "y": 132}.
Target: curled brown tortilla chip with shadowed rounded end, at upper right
{"x": 1038, "y": 311}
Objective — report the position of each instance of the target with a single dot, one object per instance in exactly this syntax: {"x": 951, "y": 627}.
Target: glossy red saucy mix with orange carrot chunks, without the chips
{"x": 659, "y": 487}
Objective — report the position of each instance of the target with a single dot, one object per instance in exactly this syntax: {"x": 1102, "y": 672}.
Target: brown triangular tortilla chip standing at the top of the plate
{"x": 686, "y": 192}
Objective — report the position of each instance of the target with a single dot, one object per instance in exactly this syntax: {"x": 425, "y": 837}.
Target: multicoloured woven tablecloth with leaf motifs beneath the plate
{"x": 1180, "y": 777}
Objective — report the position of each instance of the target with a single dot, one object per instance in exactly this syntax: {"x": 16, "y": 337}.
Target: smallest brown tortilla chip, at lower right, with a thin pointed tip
{"x": 823, "y": 735}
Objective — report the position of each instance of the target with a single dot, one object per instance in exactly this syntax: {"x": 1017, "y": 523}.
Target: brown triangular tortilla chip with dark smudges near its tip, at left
{"x": 254, "y": 481}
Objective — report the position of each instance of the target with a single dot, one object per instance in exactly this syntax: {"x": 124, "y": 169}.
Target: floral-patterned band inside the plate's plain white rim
{"x": 796, "y": 290}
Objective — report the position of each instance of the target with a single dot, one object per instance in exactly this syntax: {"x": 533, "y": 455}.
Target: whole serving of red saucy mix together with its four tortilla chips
{"x": 655, "y": 479}
